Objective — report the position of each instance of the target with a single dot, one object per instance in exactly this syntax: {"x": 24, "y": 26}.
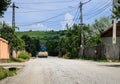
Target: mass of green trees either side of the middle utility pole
{"x": 69, "y": 46}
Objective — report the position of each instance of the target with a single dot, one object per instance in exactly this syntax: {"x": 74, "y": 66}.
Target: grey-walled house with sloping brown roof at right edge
{"x": 112, "y": 52}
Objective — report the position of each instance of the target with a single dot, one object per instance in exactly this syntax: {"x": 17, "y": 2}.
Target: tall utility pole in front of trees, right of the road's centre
{"x": 81, "y": 48}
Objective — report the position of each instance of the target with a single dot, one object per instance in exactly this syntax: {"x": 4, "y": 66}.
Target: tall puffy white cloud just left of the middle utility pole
{"x": 68, "y": 20}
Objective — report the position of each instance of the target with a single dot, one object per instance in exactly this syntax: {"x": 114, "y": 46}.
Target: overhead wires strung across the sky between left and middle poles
{"x": 34, "y": 10}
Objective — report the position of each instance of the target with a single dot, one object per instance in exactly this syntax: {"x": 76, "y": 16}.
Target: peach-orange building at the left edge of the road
{"x": 4, "y": 50}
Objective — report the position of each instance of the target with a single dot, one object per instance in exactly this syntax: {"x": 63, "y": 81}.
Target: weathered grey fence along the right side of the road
{"x": 100, "y": 52}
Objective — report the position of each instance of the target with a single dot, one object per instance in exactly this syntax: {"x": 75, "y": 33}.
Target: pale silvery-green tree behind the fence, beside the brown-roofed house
{"x": 93, "y": 36}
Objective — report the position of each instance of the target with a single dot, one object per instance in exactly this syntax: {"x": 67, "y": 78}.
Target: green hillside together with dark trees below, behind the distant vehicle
{"x": 33, "y": 40}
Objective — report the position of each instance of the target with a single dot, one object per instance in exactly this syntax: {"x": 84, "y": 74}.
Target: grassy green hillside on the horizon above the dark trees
{"x": 42, "y": 35}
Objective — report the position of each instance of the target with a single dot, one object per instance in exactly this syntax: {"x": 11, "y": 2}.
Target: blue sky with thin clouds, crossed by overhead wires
{"x": 45, "y": 15}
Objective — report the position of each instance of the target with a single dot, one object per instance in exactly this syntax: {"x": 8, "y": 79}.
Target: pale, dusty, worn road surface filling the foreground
{"x": 61, "y": 71}
